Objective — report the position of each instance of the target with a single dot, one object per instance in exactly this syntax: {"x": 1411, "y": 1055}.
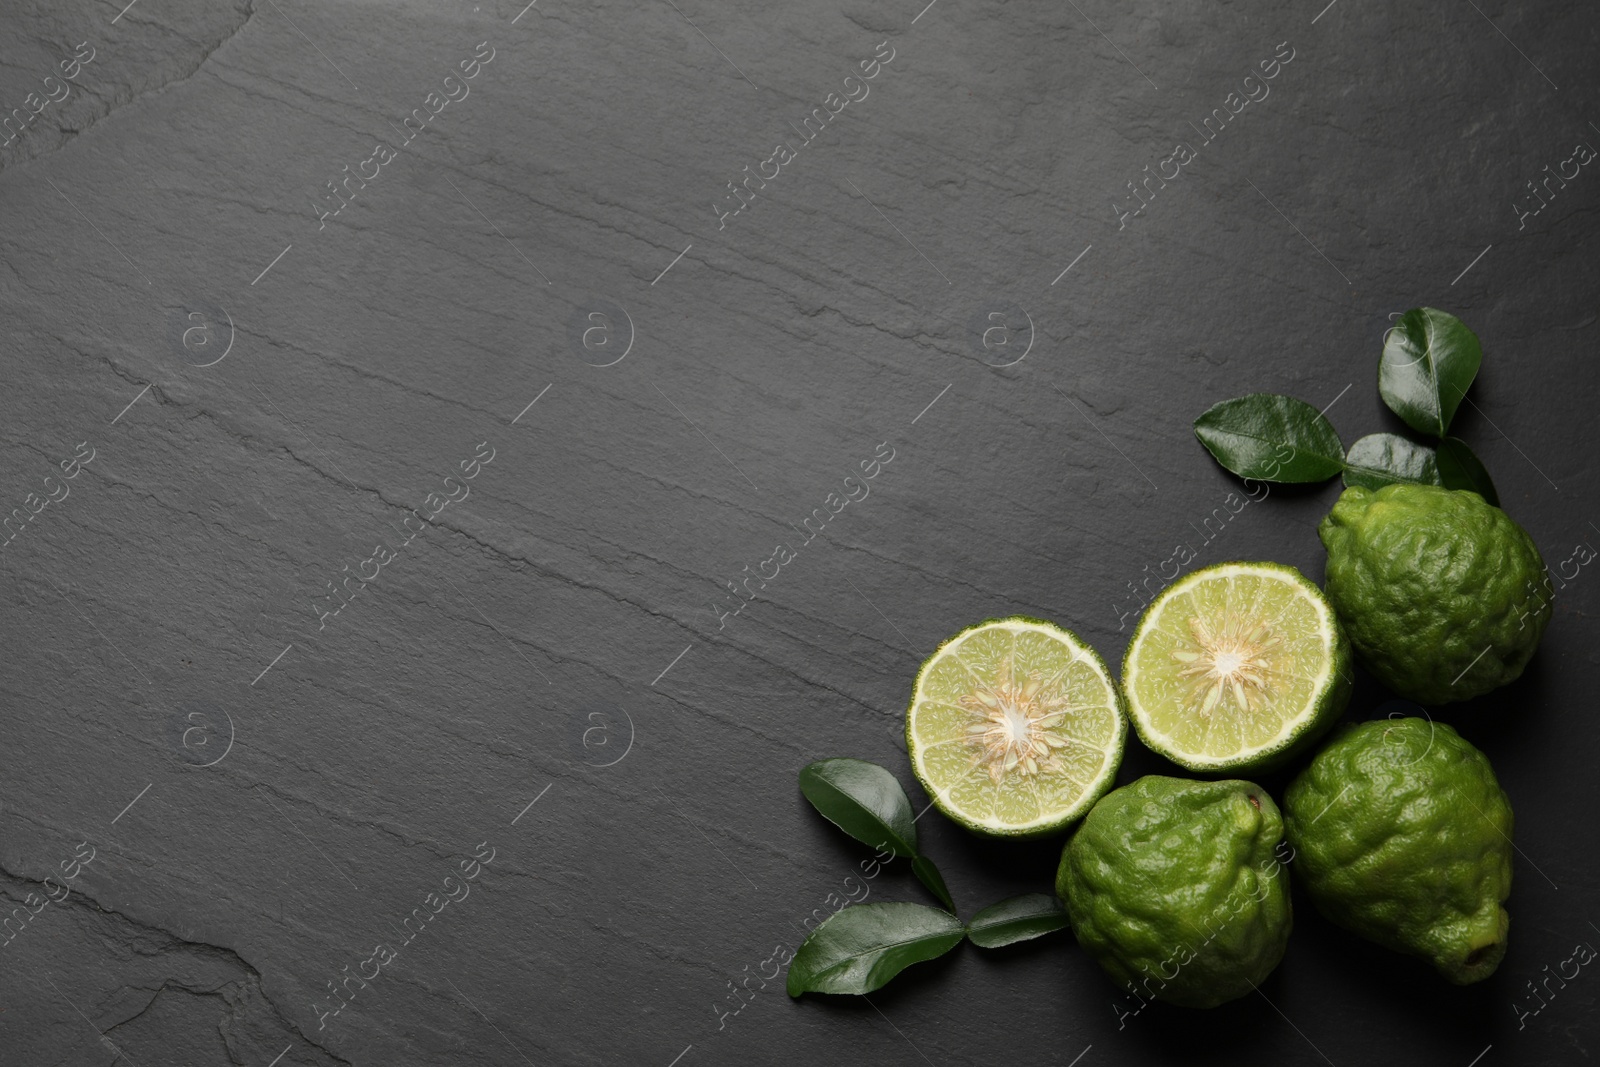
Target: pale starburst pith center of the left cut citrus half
{"x": 1015, "y": 725}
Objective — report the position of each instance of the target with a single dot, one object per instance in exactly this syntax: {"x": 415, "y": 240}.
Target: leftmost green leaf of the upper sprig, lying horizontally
{"x": 1271, "y": 439}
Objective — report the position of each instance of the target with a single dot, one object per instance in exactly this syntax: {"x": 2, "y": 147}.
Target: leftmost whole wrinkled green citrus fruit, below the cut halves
{"x": 1174, "y": 889}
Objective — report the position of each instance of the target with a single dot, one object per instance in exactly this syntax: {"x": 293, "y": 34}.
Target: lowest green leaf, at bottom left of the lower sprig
{"x": 862, "y": 948}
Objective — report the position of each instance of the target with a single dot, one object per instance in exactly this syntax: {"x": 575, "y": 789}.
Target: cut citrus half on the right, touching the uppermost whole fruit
{"x": 1238, "y": 668}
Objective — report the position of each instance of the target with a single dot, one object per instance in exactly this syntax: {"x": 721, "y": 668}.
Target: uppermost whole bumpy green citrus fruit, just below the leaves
{"x": 1444, "y": 596}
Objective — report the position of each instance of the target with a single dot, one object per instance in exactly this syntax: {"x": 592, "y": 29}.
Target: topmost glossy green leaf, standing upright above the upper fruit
{"x": 1428, "y": 366}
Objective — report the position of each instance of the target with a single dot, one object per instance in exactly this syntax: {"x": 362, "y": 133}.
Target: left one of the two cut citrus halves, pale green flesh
{"x": 1015, "y": 727}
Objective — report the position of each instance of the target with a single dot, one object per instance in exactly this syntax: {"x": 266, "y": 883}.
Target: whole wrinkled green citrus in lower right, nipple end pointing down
{"x": 1402, "y": 834}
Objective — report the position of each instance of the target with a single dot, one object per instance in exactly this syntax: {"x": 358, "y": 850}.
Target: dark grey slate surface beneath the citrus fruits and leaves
{"x": 268, "y": 396}
